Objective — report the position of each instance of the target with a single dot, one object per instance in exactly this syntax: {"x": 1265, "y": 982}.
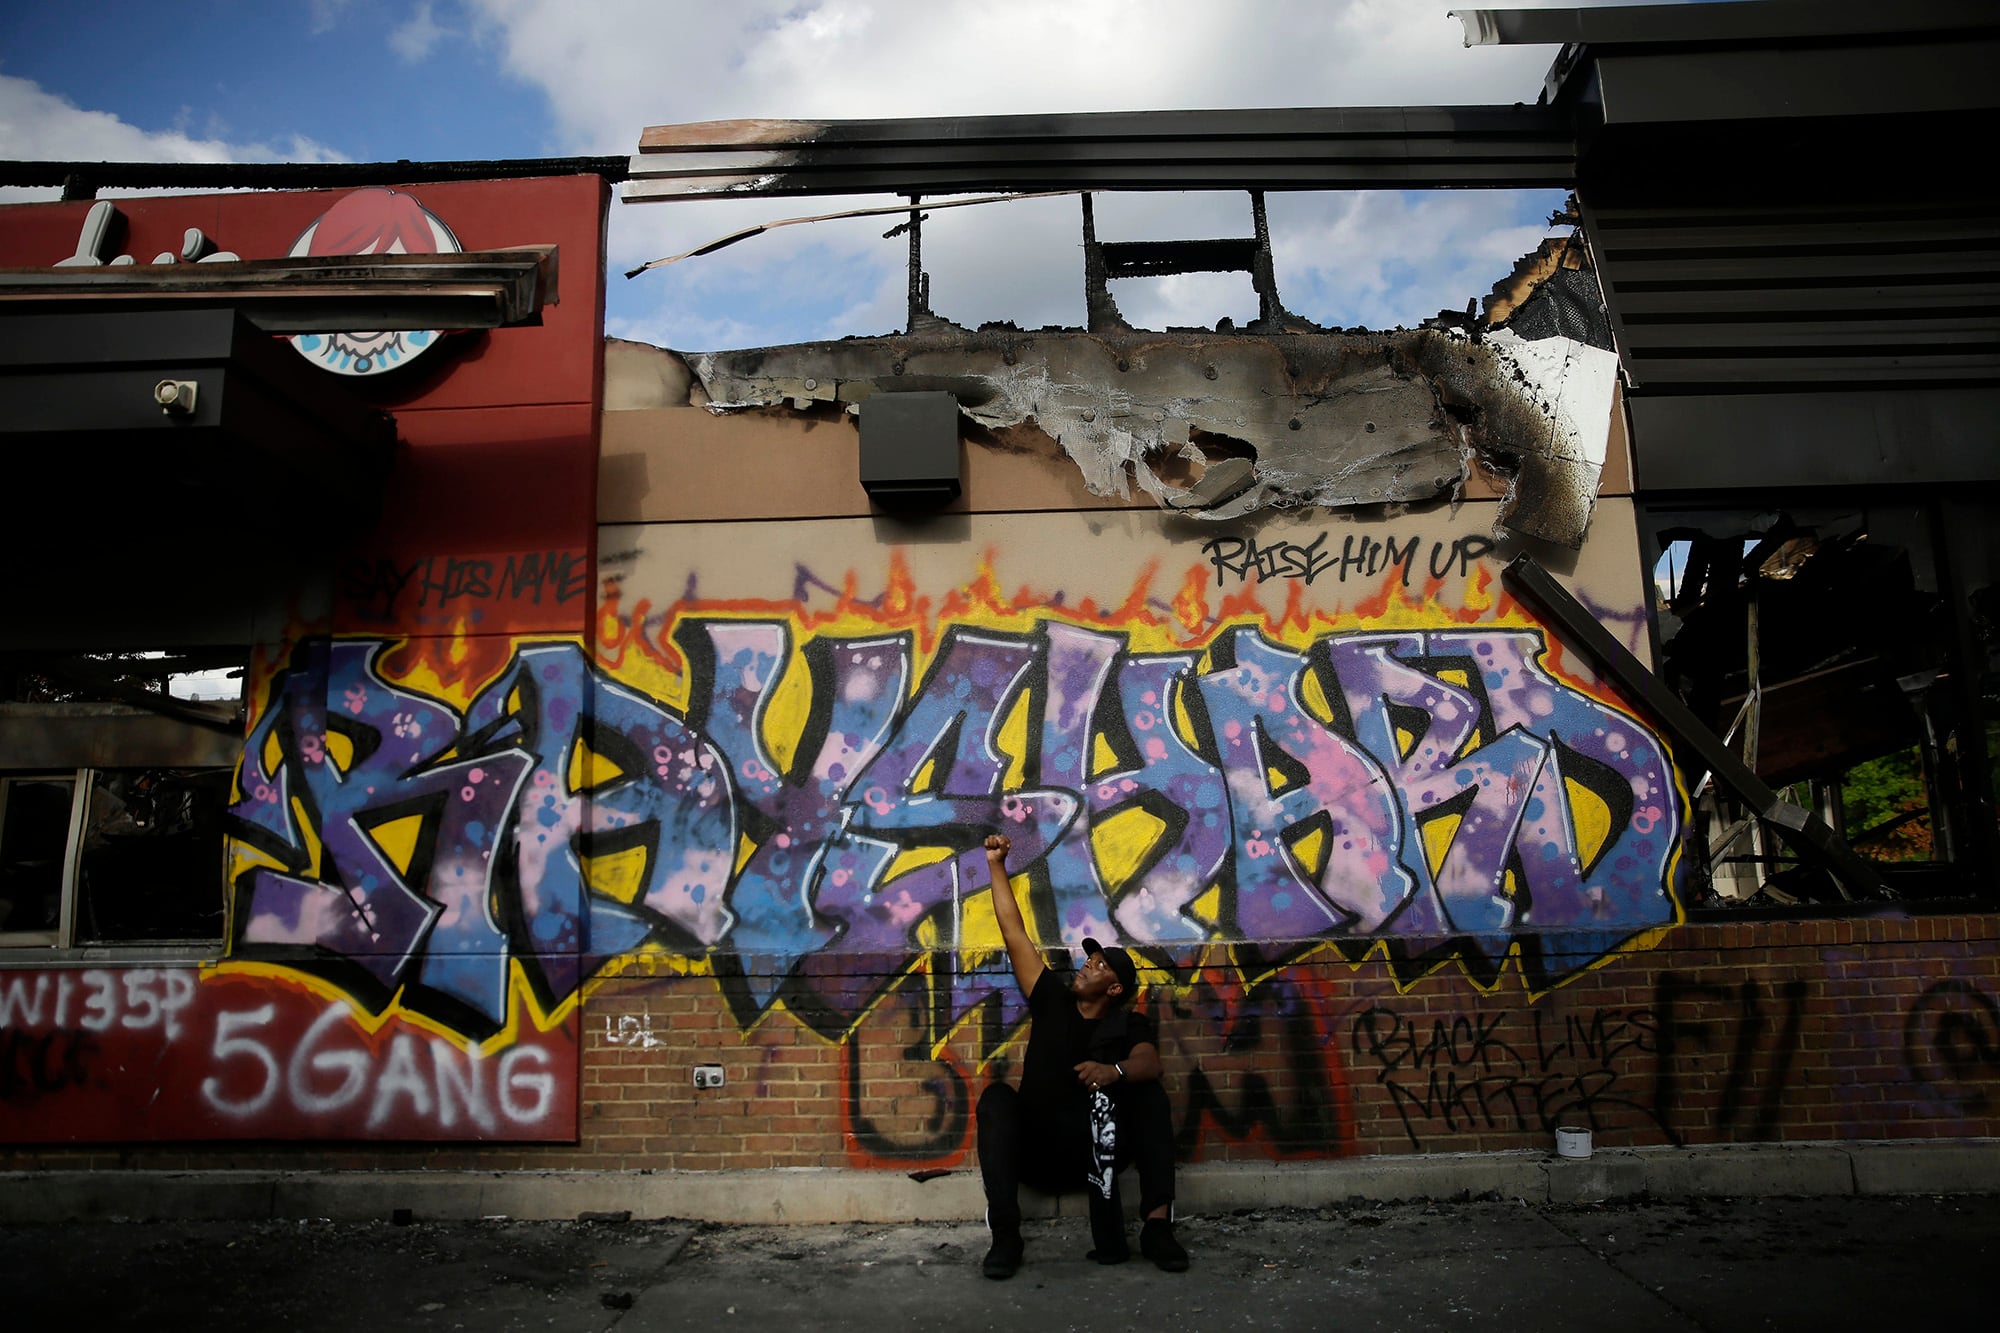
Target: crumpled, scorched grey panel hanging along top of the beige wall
{"x": 1329, "y": 419}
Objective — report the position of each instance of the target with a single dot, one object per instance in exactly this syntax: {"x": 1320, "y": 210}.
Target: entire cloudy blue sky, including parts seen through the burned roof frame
{"x": 367, "y": 81}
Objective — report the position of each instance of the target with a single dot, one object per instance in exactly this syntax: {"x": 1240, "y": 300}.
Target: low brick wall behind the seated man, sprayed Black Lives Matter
{"x": 1723, "y": 1034}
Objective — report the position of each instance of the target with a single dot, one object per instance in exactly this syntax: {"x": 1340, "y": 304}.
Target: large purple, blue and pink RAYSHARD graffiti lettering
{"x": 1435, "y": 792}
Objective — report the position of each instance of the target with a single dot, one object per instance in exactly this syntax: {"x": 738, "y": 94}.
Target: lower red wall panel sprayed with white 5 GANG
{"x": 133, "y": 1056}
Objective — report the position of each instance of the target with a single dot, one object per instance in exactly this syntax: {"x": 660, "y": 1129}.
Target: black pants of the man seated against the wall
{"x": 1053, "y": 1154}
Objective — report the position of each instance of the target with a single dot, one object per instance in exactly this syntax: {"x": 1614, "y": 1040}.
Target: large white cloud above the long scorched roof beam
{"x": 639, "y": 63}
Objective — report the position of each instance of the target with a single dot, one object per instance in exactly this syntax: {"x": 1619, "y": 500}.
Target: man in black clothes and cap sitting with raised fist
{"x": 1089, "y": 1102}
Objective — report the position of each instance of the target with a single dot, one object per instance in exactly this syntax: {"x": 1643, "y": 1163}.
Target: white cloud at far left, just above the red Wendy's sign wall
{"x": 41, "y": 127}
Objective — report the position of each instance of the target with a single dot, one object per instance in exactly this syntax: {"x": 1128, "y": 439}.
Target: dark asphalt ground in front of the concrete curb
{"x": 1633, "y": 1266}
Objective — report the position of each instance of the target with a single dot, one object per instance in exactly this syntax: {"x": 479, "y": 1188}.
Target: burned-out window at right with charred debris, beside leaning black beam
{"x": 1951, "y": 724}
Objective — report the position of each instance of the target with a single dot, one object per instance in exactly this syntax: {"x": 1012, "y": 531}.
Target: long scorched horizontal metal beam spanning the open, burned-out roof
{"x": 1301, "y": 149}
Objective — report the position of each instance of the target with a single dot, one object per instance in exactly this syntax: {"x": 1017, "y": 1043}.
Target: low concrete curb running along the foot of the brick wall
{"x": 835, "y": 1196}
